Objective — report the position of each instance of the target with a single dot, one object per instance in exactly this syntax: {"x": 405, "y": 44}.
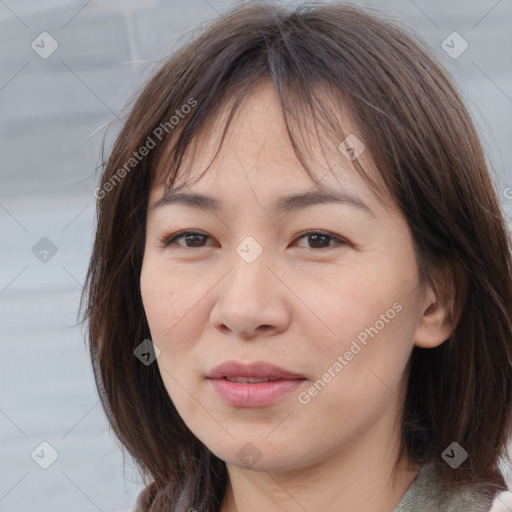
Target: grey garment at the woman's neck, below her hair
{"x": 424, "y": 495}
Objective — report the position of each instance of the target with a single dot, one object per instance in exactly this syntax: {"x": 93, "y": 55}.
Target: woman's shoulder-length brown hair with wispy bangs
{"x": 423, "y": 142}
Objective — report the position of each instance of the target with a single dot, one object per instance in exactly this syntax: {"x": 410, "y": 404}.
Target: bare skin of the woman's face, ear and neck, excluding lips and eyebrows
{"x": 298, "y": 305}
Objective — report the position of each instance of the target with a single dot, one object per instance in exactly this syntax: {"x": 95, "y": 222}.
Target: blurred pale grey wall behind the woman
{"x": 67, "y": 71}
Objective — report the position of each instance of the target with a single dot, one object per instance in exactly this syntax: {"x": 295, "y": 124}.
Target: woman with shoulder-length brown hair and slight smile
{"x": 300, "y": 292}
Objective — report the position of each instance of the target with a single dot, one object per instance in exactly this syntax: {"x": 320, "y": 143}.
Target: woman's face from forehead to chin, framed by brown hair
{"x": 340, "y": 309}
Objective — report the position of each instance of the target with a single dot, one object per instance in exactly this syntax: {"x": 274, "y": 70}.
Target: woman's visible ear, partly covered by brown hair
{"x": 434, "y": 326}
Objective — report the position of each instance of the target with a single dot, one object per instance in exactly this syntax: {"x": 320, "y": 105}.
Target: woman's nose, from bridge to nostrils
{"x": 251, "y": 300}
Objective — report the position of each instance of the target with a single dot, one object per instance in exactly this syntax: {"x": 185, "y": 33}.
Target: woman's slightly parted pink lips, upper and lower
{"x": 253, "y": 394}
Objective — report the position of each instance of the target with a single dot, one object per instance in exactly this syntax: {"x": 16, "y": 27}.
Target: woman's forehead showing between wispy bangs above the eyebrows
{"x": 257, "y": 148}
